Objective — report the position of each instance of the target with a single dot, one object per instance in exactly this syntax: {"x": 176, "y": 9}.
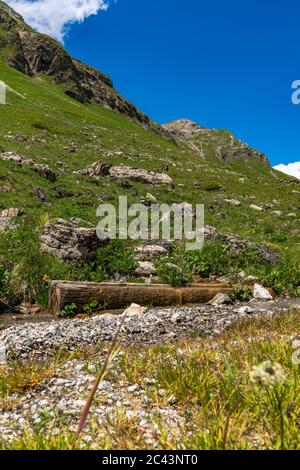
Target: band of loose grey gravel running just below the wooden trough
{"x": 41, "y": 340}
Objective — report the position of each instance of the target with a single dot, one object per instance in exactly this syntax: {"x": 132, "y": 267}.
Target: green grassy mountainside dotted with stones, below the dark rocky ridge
{"x": 55, "y": 121}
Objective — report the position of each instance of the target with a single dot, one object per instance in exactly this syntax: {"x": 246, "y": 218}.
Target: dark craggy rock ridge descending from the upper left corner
{"x": 36, "y": 54}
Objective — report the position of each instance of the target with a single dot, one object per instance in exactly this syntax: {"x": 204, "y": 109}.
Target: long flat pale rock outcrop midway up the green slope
{"x": 126, "y": 172}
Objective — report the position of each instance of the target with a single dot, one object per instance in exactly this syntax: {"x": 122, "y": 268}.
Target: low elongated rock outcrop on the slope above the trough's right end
{"x": 237, "y": 244}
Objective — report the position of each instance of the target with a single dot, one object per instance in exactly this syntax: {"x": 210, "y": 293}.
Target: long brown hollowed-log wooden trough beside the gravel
{"x": 115, "y": 296}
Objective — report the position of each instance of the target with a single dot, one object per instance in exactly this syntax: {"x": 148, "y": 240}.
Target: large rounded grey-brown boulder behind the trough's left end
{"x": 68, "y": 242}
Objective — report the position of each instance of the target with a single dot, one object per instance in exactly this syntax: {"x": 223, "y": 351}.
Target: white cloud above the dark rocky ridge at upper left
{"x": 53, "y": 17}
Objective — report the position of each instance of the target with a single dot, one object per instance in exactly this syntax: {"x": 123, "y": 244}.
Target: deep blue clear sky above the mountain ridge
{"x": 225, "y": 64}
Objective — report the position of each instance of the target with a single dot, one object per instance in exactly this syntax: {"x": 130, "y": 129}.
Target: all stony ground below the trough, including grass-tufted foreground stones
{"x": 51, "y": 395}
